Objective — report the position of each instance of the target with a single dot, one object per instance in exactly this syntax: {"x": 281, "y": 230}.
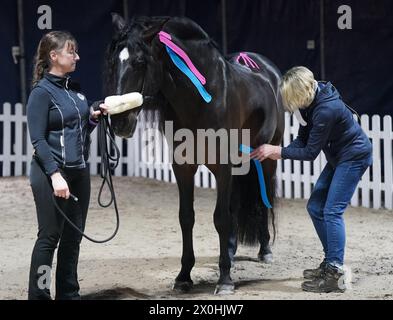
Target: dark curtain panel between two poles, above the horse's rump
{"x": 278, "y": 29}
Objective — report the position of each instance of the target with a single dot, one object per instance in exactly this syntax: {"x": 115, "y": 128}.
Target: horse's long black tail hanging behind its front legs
{"x": 251, "y": 216}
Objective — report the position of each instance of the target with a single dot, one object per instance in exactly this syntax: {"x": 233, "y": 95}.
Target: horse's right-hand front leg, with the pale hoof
{"x": 223, "y": 224}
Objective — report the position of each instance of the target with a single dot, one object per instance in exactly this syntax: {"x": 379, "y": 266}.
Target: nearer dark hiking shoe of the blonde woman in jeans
{"x": 331, "y": 280}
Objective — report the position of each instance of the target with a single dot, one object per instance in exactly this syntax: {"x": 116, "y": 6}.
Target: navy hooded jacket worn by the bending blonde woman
{"x": 330, "y": 128}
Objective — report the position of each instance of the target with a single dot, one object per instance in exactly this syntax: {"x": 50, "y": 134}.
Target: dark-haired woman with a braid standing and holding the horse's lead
{"x": 60, "y": 122}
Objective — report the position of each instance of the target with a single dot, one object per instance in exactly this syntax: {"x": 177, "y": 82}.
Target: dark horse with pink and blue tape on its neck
{"x": 244, "y": 95}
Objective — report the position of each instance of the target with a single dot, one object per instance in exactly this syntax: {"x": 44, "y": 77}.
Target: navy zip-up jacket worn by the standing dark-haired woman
{"x": 58, "y": 118}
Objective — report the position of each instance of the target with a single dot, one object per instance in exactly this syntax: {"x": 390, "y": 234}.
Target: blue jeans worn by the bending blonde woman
{"x": 329, "y": 199}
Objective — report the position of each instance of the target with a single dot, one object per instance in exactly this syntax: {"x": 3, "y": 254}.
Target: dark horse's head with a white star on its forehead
{"x": 131, "y": 67}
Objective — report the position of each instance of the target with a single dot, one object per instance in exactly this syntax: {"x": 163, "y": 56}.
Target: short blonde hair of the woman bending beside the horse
{"x": 297, "y": 88}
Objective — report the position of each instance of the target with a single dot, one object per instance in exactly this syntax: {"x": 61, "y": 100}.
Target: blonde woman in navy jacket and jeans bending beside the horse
{"x": 327, "y": 125}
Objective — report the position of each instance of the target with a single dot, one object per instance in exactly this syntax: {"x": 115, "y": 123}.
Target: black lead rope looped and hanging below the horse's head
{"x": 104, "y": 131}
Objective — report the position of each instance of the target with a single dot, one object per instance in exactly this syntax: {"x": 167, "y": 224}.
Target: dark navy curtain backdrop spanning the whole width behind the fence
{"x": 357, "y": 61}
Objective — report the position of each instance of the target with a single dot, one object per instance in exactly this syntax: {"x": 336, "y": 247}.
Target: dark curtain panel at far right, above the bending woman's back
{"x": 359, "y": 61}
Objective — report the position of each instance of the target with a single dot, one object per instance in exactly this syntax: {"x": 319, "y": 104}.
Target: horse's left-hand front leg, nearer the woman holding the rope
{"x": 185, "y": 182}
